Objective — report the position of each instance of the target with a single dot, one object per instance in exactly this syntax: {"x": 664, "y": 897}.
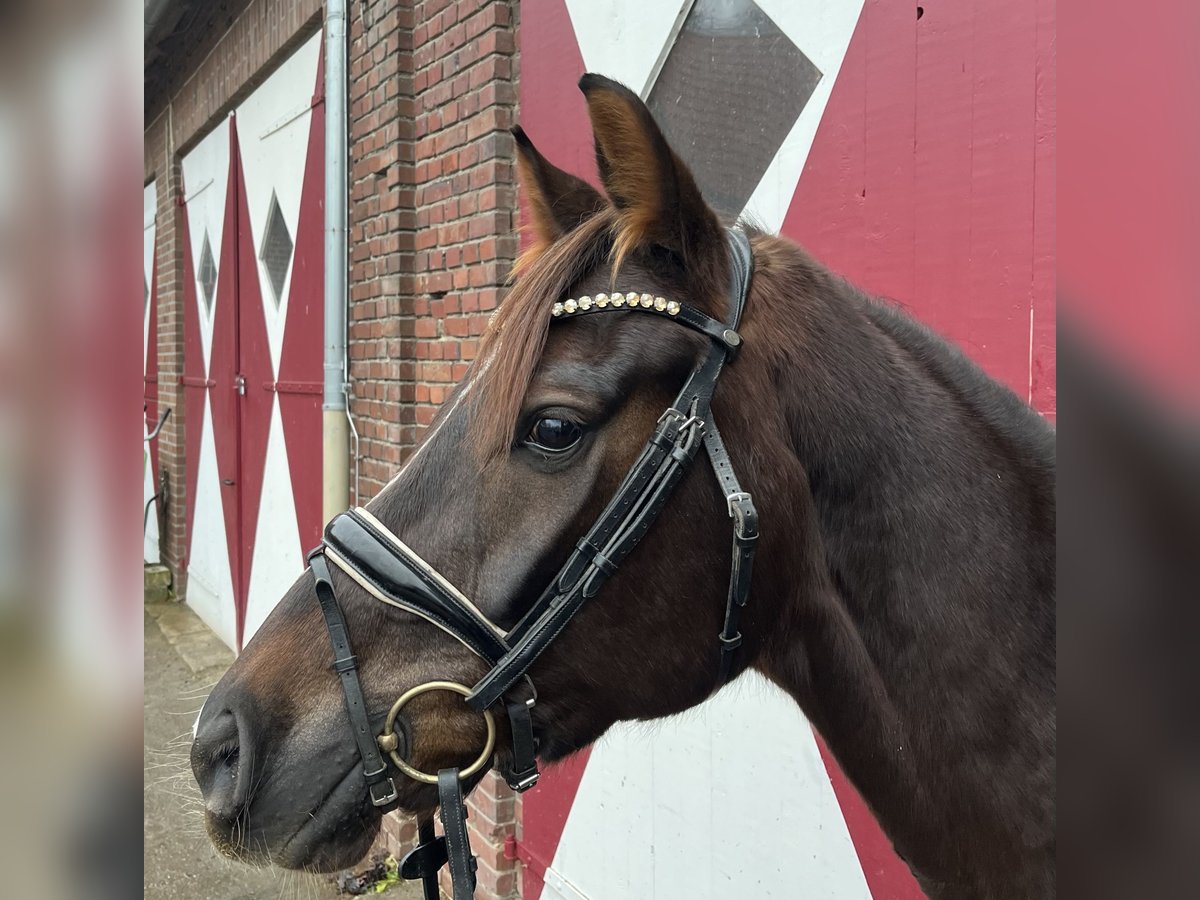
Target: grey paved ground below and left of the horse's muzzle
{"x": 183, "y": 662}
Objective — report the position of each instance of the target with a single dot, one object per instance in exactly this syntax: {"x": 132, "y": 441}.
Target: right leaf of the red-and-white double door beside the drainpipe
{"x": 281, "y": 281}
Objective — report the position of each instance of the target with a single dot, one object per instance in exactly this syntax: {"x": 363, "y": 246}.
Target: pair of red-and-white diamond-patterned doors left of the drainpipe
{"x": 254, "y": 317}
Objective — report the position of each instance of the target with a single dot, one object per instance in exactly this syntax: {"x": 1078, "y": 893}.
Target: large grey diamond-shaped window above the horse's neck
{"x": 729, "y": 93}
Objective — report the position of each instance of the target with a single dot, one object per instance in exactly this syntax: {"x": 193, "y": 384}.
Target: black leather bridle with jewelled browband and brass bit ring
{"x": 364, "y": 549}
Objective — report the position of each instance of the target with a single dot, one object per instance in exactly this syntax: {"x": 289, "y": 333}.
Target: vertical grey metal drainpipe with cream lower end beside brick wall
{"x": 335, "y": 452}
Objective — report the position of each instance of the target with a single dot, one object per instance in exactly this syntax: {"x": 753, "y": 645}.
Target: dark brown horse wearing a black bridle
{"x": 904, "y": 592}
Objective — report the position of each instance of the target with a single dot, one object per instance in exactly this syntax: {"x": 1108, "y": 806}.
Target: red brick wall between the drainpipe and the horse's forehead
{"x": 433, "y": 238}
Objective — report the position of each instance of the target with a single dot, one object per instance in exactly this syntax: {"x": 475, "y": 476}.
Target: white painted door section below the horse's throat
{"x": 729, "y": 800}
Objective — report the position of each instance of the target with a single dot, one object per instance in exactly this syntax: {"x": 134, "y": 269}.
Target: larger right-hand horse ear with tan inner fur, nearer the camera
{"x": 655, "y": 193}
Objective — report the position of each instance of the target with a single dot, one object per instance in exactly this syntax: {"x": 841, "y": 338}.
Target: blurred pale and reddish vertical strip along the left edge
{"x": 70, "y": 622}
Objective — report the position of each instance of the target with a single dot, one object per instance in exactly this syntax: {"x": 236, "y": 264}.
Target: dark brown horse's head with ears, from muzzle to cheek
{"x": 520, "y": 461}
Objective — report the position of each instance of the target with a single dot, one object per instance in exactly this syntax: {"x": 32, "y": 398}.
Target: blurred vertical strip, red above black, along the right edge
{"x": 1129, "y": 190}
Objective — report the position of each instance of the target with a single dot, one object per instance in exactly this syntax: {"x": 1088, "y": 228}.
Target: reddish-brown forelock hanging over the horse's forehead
{"x": 514, "y": 341}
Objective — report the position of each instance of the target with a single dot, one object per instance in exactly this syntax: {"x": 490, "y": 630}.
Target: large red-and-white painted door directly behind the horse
{"x": 911, "y": 149}
